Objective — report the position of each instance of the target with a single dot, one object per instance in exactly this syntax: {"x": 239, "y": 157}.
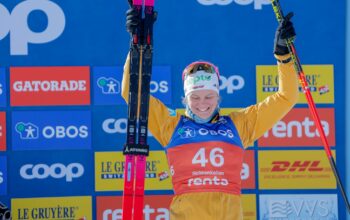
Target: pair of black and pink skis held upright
{"x": 136, "y": 149}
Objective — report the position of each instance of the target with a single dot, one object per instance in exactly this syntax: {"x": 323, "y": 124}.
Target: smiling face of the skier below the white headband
{"x": 203, "y": 102}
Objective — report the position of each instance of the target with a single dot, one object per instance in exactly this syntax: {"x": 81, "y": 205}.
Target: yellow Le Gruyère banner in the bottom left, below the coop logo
{"x": 62, "y": 208}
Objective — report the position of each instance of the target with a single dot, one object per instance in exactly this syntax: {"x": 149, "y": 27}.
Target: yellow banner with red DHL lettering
{"x": 295, "y": 170}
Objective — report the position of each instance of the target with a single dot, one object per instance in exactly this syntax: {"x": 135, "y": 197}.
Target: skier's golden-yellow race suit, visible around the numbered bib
{"x": 250, "y": 123}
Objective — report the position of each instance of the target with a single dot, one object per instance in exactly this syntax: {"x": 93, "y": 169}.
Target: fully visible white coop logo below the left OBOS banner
{"x": 56, "y": 171}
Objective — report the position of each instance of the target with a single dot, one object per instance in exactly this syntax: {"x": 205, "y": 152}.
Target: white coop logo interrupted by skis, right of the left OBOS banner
{"x": 116, "y": 126}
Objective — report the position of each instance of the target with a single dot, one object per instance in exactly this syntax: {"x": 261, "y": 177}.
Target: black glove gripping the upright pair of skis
{"x": 133, "y": 20}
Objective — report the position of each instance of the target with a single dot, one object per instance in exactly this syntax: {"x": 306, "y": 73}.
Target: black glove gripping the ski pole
{"x": 284, "y": 32}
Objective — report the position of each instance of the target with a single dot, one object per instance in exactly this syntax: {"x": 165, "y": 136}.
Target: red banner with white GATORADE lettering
{"x": 40, "y": 86}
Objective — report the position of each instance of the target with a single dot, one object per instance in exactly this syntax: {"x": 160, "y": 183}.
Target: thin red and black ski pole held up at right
{"x": 279, "y": 15}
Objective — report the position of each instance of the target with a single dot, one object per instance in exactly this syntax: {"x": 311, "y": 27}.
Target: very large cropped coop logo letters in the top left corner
{"x": 16, "y": 24}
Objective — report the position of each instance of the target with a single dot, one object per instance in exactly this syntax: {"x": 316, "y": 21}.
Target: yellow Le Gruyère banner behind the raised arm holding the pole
{"x": 320, "y": 79}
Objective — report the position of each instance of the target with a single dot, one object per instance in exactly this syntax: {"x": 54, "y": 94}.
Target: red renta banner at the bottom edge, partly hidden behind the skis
{"x": 155, "y": 207}
